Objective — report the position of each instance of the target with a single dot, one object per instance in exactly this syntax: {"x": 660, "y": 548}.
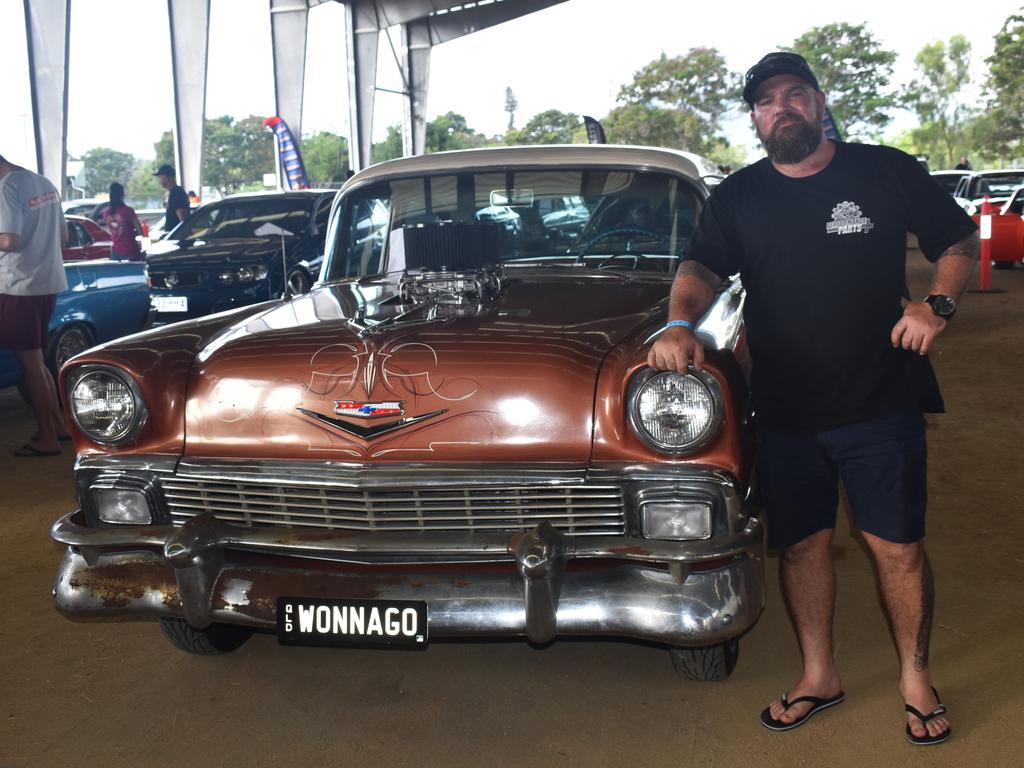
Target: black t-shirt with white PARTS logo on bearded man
{"x": 824, "y": 262}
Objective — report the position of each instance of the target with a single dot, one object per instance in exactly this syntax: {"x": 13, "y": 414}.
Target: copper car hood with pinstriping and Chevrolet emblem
{"x": 350, "y": 373}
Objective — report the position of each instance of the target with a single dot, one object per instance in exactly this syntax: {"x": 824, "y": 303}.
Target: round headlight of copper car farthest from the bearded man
{"x": 107, "y": 407}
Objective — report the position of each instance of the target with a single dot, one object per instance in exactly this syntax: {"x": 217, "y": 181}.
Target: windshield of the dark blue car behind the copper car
{"x": 250, "y": 218}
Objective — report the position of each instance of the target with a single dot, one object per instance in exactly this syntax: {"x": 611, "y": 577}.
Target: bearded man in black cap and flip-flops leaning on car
{"x": 818, "y": 233}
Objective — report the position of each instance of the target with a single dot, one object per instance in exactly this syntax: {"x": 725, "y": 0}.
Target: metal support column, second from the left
{"x": 190, "y": 23}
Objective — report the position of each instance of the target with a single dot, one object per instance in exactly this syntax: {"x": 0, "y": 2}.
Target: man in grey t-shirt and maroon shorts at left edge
{"x": 32, "y": 232}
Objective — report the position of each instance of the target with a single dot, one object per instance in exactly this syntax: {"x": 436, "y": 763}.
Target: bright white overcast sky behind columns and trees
{"x": 573, "y": 57}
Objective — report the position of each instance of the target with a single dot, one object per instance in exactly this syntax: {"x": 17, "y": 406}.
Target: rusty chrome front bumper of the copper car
{"x": 539, "y": 584}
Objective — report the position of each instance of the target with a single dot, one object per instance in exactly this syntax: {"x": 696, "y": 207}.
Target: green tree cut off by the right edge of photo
{"x": 1006, "y": 90}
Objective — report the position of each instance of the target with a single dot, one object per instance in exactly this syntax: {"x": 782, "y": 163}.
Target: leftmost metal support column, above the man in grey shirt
{"x": 48, "y": 32}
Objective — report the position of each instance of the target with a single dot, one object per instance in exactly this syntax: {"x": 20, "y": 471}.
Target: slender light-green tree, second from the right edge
{"x": 944, "y": 71}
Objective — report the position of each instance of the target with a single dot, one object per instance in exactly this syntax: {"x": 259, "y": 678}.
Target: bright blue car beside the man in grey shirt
{"x": 105, "y": 301}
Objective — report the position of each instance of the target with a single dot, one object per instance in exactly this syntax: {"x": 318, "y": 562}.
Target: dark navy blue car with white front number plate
{"x": 239, "y": 251}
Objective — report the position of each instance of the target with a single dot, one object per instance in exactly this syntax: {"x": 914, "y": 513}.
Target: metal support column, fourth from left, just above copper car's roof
{"x": 363, "y": 34}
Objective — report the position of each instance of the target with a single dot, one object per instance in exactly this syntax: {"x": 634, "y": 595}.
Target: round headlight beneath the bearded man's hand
{"x": 673, "y": 413}
